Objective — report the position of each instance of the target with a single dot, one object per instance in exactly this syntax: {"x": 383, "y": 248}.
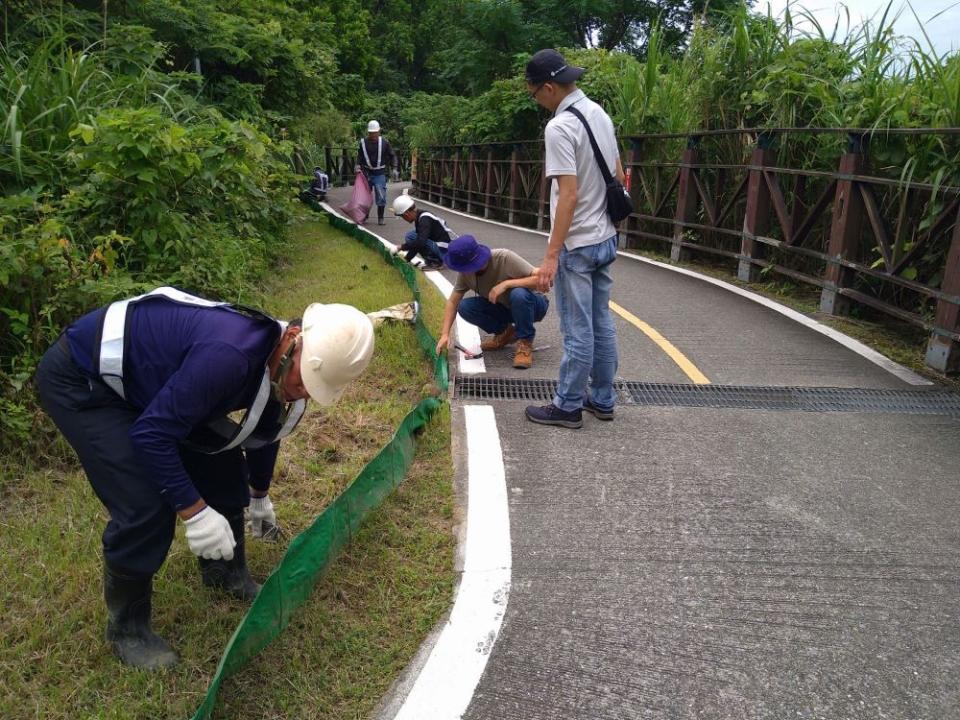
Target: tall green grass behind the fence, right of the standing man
{"x": 759, "y": 70}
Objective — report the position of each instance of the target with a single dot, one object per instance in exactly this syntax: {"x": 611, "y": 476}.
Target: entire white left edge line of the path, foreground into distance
{"x": 483, "y": 561}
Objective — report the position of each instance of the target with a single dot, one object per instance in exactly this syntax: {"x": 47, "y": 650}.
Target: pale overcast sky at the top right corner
{"x": 944, "y": 30}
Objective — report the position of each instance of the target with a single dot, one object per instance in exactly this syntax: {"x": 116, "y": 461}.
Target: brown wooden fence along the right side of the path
{"x": 853, "y": 225}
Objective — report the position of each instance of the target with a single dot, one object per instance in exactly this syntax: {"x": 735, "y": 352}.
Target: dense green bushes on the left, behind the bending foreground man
{"x": 115, "y": 179}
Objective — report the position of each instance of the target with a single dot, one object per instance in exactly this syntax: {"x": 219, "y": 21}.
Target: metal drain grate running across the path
{"x": 806, "y": 399}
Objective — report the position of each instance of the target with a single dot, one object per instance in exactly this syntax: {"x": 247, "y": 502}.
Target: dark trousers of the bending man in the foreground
{"x": 96, "y": 422}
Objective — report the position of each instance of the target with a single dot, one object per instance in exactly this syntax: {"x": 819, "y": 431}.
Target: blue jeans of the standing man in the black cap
{"x": 583, "y": 286}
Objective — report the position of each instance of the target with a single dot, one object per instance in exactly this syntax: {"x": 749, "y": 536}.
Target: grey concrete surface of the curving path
{"x": 717, "y": 563}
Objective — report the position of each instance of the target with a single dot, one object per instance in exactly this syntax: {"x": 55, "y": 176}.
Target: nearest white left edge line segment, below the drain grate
{"x": 446, "y": 683}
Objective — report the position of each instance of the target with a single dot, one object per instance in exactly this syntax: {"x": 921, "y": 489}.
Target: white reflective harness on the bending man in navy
{"x": 109, "y": 364}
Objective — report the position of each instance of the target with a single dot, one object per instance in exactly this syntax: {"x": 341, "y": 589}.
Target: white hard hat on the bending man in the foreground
{"x": 337, "y": 347}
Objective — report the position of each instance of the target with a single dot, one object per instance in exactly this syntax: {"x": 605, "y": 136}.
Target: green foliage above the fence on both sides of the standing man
{"x": 738, "y": 70}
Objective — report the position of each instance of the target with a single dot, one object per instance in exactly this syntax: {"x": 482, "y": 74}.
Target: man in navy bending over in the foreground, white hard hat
{"x": 143, "y": 388}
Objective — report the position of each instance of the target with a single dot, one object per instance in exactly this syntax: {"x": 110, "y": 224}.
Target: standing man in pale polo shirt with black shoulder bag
{"x": 583, "y": 242}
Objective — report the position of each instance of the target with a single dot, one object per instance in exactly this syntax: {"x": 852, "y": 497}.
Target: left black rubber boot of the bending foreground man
{"x": 128, "y": 623}
